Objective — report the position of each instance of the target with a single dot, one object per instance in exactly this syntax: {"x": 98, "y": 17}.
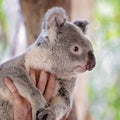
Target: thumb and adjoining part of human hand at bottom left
{"x": 22, "y": 108}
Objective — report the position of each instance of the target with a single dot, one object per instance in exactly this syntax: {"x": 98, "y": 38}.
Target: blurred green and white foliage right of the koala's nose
{"x": 104, "y": 89}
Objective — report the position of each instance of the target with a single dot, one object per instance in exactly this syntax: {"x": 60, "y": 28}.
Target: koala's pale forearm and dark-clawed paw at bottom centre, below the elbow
{"x": 55, "y": 111}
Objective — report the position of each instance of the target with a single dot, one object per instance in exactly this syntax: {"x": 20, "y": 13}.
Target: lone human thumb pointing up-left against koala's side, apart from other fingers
{"x": 13, "y": 89}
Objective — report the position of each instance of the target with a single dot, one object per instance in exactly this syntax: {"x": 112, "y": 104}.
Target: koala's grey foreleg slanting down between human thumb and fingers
{"x": 26, "y": 89}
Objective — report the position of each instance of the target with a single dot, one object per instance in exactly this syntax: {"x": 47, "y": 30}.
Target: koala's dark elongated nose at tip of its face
{"x": 91, "y": 61}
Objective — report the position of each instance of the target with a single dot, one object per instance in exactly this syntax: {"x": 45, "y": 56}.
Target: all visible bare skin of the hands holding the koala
{"x": 22, "y": 108}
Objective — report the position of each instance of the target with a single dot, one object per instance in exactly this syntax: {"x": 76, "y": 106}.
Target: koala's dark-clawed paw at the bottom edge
{"x": 45, "y": 114}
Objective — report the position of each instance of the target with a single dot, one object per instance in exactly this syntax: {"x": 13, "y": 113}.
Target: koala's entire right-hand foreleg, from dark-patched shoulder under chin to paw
{"x": 60, "y": 104}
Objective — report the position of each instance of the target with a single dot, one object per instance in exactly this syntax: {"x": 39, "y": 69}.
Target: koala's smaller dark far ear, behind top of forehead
{"x": 81, "y": 24}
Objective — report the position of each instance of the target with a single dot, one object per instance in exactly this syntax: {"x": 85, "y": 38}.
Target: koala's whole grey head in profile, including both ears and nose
{"x": 69, "y": 50}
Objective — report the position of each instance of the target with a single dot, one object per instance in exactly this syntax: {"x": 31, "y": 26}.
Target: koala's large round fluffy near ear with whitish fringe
{"x": 55, "y": 17}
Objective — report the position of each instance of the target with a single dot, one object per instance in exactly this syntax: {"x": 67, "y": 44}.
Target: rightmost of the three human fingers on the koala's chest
{"x": 50, "y": 87}
